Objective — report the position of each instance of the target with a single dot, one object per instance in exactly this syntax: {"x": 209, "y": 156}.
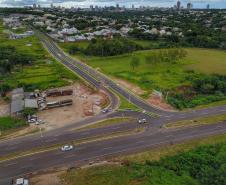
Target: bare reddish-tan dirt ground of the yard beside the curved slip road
{"x": 86, "y": 102}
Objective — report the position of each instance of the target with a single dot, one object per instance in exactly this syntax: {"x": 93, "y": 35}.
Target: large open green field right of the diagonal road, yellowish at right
{"x": 160, "y": 76}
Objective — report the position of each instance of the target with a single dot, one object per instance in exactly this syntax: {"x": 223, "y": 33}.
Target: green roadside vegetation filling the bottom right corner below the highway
{"x": 202, "y": 166}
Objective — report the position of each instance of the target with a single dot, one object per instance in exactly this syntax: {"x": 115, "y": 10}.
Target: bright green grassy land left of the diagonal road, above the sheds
{"x": 45, "y": 72}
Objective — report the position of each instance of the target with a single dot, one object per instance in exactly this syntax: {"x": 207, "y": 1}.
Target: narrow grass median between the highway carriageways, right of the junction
{"x": 199, "y": 121}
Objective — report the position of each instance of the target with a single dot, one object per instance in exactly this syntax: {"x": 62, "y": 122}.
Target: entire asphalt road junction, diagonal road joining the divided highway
{"x": 152, "y": 136}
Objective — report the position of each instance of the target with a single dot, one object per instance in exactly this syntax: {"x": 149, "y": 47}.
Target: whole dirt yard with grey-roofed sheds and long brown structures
{"x": 59, "y": 106}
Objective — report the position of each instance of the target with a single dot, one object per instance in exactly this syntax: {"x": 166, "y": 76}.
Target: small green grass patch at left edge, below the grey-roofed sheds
{"x": 7, "y": 123}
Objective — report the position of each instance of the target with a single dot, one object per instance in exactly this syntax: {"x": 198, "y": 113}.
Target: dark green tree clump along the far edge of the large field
{"x": 117, "y": 46}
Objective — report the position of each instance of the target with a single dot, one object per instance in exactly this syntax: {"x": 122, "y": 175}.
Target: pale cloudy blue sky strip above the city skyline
{"x": 219, "y": 4}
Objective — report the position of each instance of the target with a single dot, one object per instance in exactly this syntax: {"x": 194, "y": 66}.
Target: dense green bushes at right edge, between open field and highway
{"x": 203, "y": 89}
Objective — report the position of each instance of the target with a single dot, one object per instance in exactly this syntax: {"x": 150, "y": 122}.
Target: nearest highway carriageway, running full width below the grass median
{"x": 102, "y": 149}
